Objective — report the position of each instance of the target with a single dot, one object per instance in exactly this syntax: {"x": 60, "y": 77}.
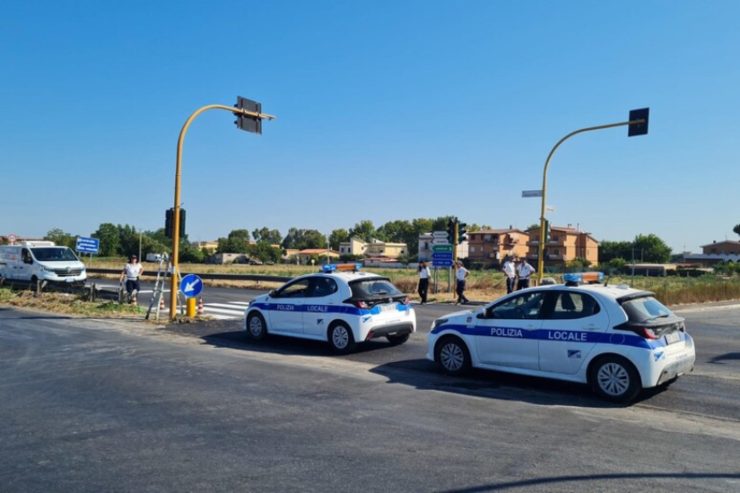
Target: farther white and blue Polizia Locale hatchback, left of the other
{"x": 339, "y": 306}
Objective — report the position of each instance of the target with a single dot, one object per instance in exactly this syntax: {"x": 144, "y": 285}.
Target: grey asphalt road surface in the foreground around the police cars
{"x": 121, "y": 406}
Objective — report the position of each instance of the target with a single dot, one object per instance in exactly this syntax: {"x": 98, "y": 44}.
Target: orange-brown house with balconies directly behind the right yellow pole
{"x": 565, "y": 244}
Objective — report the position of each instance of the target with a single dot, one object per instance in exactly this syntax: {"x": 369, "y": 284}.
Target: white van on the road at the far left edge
{"x": 41, "y": 260}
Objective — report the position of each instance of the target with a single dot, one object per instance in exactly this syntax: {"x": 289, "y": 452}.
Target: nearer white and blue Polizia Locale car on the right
{"x": 617, "y": 339}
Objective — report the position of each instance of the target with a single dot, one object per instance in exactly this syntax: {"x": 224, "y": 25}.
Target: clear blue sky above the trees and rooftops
{"x": 386, "y": 110}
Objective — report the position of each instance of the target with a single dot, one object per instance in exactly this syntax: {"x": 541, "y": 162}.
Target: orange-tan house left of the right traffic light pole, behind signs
{"x": 492, "y": 246}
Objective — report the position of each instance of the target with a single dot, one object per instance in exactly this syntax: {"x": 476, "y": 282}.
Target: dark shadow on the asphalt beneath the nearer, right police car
{"x": 424, "y": 375}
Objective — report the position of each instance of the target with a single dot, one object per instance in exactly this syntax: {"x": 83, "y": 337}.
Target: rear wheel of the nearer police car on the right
{"x": 615, "y": 379}
